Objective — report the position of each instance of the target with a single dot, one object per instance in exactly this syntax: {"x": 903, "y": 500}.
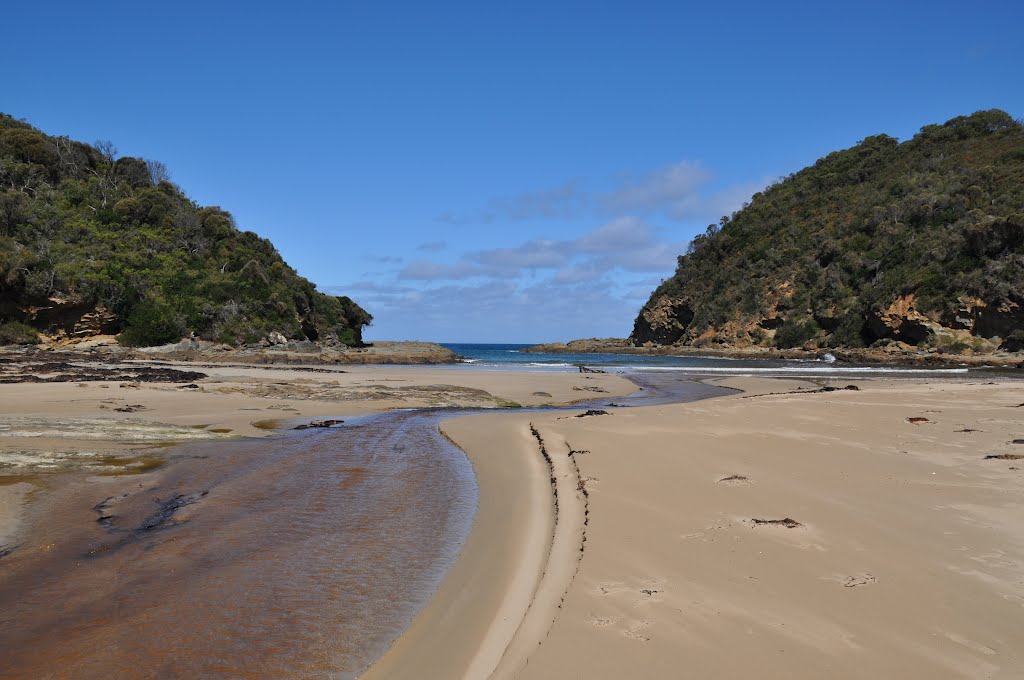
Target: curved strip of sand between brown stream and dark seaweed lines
{"x": 490, "y": 612}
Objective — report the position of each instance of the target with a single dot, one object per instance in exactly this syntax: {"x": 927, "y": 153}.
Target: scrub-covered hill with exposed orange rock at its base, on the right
{"x": 917, "y": 244}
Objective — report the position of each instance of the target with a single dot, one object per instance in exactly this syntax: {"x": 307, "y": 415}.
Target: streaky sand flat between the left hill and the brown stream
{"x": 47, "y": 429}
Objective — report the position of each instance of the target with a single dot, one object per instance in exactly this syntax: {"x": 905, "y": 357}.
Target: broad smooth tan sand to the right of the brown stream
{"x": 905, "y": 558}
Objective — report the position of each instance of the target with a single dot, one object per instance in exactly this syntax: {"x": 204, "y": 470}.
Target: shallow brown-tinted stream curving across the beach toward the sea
{"x": 302, "y": 556}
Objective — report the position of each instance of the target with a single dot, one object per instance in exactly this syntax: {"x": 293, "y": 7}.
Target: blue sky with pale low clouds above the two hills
{"x": 475, "y": 173}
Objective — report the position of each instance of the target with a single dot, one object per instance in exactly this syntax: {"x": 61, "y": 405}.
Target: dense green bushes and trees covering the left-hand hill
{"x": 81, "y": 226}
